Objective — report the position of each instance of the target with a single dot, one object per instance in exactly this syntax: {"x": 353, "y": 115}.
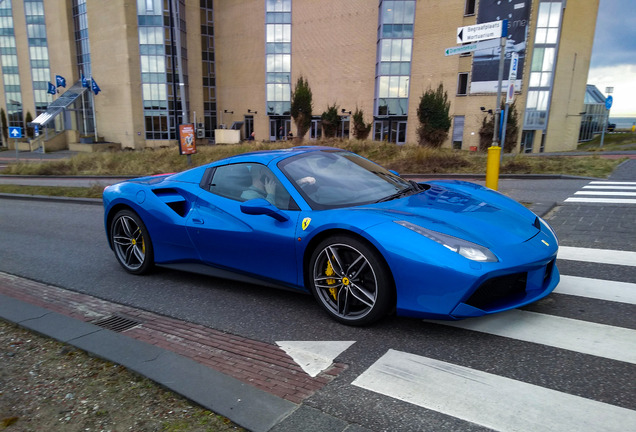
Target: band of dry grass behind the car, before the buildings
{"x": 406, "y": 159}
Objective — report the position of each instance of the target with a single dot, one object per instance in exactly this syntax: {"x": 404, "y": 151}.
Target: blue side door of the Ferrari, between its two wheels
{"x": 225, "y": 237}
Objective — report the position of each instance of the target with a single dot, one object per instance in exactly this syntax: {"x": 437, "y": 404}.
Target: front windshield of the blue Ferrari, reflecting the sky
{"x": 333, "y": 179}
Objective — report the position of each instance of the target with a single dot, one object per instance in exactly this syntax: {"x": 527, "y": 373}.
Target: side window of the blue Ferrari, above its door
{"x": 245, "y": 181}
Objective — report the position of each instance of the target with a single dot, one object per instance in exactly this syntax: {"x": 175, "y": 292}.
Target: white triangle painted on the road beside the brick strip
{"x": 314, "y": 356}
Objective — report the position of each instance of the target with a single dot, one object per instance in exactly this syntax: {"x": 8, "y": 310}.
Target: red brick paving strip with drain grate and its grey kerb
{"x": 254, "y": 384}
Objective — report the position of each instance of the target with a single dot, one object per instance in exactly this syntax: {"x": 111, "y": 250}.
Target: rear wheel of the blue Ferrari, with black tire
{"x": 131, "y": 242}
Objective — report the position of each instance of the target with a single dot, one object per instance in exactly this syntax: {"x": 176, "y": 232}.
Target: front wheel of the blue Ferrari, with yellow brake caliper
{"x": 351, "y": 281}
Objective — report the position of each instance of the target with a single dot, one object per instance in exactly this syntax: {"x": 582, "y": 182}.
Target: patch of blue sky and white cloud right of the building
{"x": 613, "y": 61}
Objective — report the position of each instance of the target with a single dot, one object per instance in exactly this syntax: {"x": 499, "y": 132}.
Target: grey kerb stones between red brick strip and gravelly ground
{"x": 247, "y": 406}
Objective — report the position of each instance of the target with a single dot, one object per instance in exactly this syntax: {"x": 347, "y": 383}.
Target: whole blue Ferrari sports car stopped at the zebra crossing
{"x": 364, "y": 241}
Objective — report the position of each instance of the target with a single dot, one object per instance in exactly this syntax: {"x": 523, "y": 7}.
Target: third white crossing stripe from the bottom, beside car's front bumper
{"x": 621, "y": 292}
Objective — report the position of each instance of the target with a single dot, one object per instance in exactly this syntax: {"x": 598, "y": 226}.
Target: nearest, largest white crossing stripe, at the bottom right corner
{"x": 496, "y": 402}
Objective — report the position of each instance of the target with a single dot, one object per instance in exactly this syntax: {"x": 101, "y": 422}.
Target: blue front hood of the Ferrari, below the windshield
{"x": 464, "y": 210}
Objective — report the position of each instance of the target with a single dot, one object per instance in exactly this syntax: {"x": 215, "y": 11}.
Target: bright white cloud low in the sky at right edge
{"x": 622, "y": 79}
